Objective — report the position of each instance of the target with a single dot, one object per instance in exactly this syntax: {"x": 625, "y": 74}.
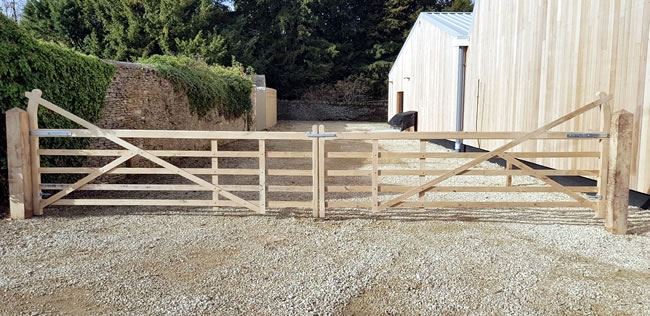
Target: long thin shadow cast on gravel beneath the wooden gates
{"x": 639, "y": 220}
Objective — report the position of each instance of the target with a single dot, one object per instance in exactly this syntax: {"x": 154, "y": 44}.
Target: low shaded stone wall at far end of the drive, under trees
{"x": 299, "y": 110}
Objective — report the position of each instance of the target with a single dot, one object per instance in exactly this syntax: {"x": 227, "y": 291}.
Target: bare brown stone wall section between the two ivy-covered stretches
{"x": 138, "y": 98}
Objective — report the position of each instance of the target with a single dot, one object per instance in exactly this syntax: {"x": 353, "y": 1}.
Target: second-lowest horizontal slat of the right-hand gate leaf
{"x": 404, "y": 188}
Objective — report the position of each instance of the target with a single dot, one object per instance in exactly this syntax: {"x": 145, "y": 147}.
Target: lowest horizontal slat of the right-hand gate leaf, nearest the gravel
{"x": 461, "y": 205}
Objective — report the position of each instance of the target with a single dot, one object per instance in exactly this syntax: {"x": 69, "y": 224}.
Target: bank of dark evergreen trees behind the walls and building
{"x": 297, "y": 44}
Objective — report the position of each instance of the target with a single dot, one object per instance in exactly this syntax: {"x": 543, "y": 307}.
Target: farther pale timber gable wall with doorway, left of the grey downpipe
{"x": 429, "y": 58}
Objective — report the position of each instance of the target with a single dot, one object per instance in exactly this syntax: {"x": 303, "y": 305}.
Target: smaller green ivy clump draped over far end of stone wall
{"x": 208, "y": 87}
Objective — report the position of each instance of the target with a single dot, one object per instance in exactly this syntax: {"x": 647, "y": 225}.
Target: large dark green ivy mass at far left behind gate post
{"x": 71, "y": 80}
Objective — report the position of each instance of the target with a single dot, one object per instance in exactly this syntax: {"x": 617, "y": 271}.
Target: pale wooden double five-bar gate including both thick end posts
{"x": 320, "y": 179}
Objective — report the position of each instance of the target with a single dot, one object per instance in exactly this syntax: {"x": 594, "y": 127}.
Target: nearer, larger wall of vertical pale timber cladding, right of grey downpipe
{"x": 530, "y": 61}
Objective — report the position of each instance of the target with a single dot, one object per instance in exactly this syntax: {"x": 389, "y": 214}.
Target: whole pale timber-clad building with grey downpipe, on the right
{"x": 514, "y": 65}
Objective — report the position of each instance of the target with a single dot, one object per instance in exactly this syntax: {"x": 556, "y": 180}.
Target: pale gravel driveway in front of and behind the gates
{"x": 173, "y": 261}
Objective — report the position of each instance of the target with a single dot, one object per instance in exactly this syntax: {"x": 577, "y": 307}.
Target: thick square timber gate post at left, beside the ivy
{"x": 19, "y": 165}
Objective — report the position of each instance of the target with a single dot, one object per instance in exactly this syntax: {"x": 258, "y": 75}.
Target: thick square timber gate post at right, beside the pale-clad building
{"x": 618, "y": 182}
